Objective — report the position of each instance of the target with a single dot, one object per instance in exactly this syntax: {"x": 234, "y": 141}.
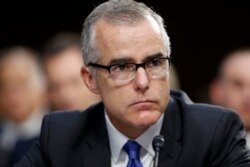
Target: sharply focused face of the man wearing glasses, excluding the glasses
{"x": 134, "y": 106}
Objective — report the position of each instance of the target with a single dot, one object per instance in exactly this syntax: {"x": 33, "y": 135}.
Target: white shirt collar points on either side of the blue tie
{"x": 117, "y": 139}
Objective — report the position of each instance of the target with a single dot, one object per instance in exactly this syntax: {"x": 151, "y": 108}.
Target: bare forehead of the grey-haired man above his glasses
{"x": 134, "y": 41}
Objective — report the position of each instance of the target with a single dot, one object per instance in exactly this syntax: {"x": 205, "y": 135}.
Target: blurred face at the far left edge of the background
{"x": 19, "y": 95}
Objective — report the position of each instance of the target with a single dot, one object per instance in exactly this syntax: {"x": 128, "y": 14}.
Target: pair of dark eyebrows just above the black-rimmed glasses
{"x": 130, "y": 60}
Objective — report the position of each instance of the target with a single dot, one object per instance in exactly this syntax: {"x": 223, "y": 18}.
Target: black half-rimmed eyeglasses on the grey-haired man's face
{"x": 122, "y": 73}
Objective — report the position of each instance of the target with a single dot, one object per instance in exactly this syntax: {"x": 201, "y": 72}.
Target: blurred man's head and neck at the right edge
{"x": 231, "y": 88}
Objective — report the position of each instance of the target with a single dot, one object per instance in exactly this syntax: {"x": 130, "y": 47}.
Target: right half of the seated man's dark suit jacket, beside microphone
{"x": 202, "y": 135}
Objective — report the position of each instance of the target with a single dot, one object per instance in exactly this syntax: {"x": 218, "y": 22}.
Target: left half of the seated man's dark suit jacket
{"x": 72, "y": 139}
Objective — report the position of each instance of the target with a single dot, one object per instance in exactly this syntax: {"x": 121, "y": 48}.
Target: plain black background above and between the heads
{"x": 201, "y": 32}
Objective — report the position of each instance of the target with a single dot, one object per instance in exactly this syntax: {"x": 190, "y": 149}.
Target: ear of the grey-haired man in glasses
{"x": 89, "y": 80}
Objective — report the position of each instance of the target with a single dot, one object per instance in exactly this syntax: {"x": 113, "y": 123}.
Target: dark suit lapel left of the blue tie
{"x": 96, "y": 150}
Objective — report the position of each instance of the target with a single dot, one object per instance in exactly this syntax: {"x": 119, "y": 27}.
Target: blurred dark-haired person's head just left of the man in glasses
{"x": 62, "y": 61}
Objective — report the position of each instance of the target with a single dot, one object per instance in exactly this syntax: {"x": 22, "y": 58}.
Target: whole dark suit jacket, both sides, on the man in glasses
{"x": 196, "y": 135}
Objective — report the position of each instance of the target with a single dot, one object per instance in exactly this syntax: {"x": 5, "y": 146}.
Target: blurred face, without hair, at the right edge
{"x": 236, "y": 86}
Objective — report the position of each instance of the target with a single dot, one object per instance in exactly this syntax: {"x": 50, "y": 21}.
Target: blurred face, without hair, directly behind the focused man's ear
{"x": 65, "y": 87}
